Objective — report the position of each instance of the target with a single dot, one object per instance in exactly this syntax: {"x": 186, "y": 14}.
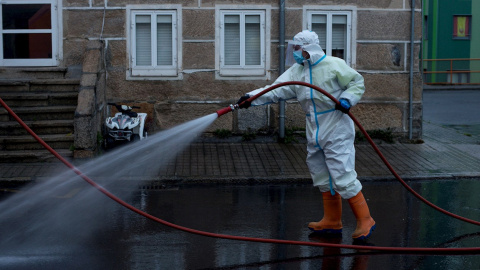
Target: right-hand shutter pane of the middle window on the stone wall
{"x": 252, "y": 40}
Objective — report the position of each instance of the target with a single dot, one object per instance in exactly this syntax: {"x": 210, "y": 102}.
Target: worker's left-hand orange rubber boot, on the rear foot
{"x": 332, "y": 215}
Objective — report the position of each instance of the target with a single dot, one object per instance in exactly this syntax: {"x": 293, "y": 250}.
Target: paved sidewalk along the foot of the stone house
{"x": 445, "y": 154}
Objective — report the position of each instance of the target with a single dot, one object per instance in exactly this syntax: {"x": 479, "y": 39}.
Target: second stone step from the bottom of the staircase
{"x": 27, "y": 142}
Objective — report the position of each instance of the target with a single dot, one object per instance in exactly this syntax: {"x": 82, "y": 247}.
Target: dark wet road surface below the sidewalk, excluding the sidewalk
{"x": 102, "y": 235}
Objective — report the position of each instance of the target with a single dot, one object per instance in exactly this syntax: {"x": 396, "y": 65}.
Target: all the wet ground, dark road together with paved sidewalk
{"x": 256, "y": 189}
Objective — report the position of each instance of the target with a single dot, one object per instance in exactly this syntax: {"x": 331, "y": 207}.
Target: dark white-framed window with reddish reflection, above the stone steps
{"x": 29, "y": 33}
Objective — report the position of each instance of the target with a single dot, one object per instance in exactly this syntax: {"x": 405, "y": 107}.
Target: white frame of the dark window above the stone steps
{"x": 55, "y": 31}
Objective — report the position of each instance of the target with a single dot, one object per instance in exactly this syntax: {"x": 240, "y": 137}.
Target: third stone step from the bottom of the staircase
{"x": 13, "y": 128}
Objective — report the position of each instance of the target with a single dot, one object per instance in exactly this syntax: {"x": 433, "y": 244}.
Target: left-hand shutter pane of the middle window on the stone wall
{"x": 232, "y": 40}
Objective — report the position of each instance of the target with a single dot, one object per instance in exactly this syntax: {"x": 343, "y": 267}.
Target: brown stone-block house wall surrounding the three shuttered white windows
{"x": 381, "y": 47}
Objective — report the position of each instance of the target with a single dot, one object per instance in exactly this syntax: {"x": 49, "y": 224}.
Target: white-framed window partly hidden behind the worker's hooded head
{"x": 334, "y": 32}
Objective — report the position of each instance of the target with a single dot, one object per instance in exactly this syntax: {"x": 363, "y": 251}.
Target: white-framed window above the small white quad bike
{"x": 153, "y": 43}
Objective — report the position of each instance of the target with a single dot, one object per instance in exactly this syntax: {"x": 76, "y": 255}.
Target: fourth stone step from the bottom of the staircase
{"x": 40, "y": 113}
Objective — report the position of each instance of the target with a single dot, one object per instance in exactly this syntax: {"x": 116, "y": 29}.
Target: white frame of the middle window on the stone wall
{"x": 242, "y": 71}
